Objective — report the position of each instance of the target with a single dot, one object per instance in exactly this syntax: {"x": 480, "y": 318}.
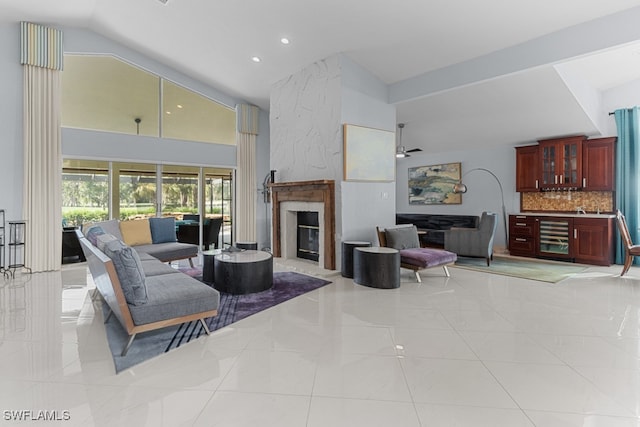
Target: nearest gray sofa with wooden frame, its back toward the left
{"x": 142, "y": 292}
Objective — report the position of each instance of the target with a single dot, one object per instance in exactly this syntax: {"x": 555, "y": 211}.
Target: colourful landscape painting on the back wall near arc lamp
{"x": 433, "y": 185}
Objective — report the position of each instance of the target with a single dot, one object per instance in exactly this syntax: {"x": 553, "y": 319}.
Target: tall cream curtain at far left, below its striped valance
{"x": 42, "y": 206}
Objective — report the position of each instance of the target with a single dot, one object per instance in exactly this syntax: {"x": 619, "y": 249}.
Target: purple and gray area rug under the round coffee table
{"x": 286, "y": 285}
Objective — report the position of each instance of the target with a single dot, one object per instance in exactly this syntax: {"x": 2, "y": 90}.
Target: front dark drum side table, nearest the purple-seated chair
{"x": 377, "y": 267}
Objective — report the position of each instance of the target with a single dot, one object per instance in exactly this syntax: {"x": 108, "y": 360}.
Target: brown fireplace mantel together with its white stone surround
{"x": 289, "y": 198}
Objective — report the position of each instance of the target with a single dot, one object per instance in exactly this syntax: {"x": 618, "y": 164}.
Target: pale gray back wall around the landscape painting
{"x": 483, "y": 190}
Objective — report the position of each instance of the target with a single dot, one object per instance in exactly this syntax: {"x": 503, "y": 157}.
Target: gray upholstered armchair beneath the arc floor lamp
{"x": 473, "y": 242}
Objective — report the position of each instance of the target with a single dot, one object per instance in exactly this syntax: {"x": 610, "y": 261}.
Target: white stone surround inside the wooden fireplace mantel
{"x": 289, "y": 227}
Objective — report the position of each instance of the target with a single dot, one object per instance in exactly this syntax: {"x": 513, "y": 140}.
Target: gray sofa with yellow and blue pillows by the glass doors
{"x": 155, "y": 236}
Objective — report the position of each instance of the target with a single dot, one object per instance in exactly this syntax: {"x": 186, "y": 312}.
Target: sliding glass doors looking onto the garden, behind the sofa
{"x": 98, "y": 190}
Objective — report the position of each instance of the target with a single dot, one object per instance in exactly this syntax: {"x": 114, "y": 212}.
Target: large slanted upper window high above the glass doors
{"x": 101, "y": 92}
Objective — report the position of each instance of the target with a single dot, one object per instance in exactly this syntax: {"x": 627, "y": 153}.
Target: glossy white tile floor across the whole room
{"x": 470, "y": 350}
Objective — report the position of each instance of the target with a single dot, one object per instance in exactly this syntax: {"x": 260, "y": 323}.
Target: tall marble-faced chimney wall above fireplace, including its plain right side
{"x": 308, "y": 110}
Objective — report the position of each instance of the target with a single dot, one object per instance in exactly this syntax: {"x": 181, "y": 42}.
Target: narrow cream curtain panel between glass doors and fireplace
{"x": 246, "y": 188}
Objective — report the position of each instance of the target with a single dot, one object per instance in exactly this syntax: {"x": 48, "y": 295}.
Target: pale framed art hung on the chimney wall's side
{"x": 369, "y": 154}
